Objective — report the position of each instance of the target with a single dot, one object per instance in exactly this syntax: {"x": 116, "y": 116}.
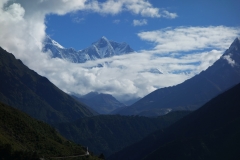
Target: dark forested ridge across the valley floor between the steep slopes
{"x": 110, "y": 133}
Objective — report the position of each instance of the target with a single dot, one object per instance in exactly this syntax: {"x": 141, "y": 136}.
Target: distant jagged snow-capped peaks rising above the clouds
{"x": 103, "y": 48}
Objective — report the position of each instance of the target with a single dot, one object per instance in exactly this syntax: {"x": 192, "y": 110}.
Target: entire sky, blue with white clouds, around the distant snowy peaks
{"x": 180, "y": 38}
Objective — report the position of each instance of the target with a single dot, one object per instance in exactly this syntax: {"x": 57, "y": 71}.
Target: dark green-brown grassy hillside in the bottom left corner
{"x": 22, "y": 138}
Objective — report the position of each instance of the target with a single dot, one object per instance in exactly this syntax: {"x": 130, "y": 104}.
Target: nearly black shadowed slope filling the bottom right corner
{"x": 209, "y": 133}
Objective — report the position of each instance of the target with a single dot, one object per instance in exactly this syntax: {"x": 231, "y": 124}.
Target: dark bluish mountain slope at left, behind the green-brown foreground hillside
{"x": 27, "y": 91}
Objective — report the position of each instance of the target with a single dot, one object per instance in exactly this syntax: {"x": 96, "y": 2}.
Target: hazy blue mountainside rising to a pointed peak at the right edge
{"x": 194, "y": 92}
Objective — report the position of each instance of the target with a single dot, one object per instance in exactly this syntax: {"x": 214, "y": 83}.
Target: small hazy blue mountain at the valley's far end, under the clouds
{"x": 102, "y": 103}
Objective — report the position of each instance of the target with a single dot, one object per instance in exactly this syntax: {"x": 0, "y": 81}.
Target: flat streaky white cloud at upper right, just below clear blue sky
{"x": 190, "y": 38}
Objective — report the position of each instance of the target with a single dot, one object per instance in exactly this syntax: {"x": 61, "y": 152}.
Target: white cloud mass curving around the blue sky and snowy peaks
{"x": 23, "y": 29}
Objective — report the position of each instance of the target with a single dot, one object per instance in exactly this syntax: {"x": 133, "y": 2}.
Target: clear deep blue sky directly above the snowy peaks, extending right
{"x": 79, "y": 29}
